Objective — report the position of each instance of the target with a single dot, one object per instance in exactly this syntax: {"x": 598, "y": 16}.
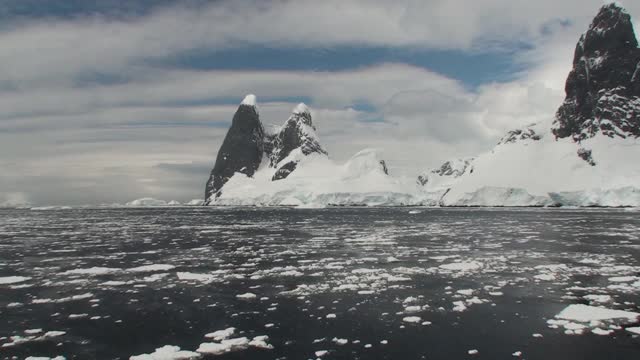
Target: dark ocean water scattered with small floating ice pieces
{"x": 340, "y": 283}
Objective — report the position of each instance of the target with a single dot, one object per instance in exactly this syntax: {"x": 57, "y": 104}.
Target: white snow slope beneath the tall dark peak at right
{"x": 550, "y": 172}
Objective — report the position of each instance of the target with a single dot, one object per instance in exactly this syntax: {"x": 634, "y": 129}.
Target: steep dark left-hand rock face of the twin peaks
{"x": 241, "y": 150}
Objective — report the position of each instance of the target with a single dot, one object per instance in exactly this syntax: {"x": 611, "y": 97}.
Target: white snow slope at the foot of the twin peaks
{"x": 318, "y": 182}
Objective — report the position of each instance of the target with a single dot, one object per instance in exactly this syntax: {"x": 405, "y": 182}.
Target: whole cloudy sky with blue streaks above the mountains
{"x": 106, "y": 101}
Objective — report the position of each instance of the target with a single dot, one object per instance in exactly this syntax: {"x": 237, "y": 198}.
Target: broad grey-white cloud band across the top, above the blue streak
{"x": 80, "y": 46}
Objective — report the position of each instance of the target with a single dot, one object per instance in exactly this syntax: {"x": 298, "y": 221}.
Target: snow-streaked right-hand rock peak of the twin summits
{"x": 297, "y": 132}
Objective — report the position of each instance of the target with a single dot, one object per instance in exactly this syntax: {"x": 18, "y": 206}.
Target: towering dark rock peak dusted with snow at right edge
{"x": 603, "y": 89}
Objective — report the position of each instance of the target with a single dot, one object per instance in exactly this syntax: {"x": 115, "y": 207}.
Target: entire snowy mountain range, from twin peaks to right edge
{"x": 585, "y": 156}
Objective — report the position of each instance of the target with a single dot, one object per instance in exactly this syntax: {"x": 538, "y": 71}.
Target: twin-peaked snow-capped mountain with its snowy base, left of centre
{"x": 295, "y": 170}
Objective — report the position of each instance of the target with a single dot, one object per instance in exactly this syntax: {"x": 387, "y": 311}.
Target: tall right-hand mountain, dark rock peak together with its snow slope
{"x": 587, "y": 155}
